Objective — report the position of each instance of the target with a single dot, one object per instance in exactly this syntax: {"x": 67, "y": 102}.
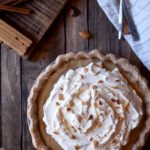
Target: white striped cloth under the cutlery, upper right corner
{"x": 140, "y": 10}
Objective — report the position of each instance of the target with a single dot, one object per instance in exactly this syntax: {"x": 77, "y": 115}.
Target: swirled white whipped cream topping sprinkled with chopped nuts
{"x": 92, "y": 108}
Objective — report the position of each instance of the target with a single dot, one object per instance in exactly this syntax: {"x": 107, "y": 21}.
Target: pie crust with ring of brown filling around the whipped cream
{"x": 44, "y": 84}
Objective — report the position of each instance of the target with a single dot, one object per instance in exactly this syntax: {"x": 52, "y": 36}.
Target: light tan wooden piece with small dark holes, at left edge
{"x": 14, "y": 38}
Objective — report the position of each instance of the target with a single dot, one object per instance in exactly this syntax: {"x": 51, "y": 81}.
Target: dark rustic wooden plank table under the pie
{"x": 18, "y": 75}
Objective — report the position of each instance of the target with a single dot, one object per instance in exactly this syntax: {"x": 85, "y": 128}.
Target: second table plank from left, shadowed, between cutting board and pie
{"x": 50, "y": 47}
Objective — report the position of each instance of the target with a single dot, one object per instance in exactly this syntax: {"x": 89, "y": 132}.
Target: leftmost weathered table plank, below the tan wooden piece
{"x": 10, "y": 99}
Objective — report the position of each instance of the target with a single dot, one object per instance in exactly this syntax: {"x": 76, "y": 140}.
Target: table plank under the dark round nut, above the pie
{"x": 76, "y": 24}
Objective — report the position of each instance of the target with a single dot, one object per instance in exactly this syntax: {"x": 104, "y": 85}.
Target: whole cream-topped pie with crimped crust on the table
{"x": 89, "y": 101}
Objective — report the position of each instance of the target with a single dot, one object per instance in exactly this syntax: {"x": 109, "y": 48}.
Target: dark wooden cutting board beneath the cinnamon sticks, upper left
{"x": 35, "y": 25}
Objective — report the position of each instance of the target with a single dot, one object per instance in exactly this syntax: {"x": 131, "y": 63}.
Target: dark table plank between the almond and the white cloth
{"x": 104, "y": 34}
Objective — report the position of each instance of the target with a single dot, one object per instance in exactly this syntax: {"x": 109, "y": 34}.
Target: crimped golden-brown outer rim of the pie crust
{"x": 121, "y": 63}
